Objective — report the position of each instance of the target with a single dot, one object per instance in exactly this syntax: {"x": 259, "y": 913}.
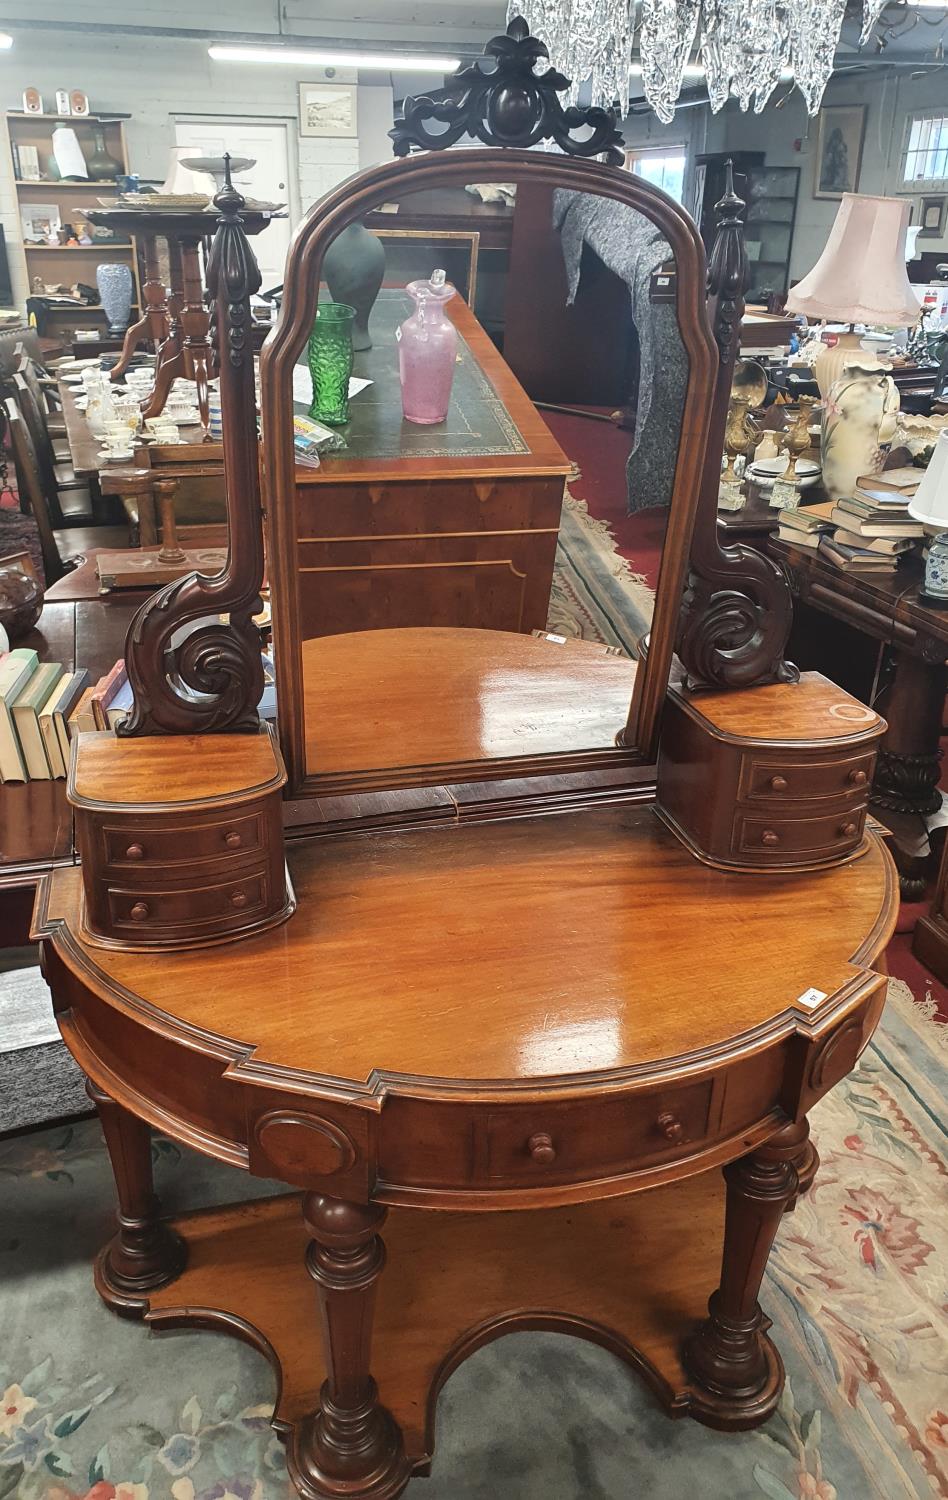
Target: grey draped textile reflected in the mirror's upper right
{"x": 634, "y": 248}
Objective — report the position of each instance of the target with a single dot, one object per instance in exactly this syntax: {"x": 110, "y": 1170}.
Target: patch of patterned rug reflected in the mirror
{"x": 596, "y": 595}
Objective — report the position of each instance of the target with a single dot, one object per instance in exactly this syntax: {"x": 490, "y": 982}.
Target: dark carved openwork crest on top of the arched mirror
{"x": 502, "y": 101}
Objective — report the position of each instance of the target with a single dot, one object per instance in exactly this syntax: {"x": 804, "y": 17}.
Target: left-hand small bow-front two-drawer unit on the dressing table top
{"x": 181, "y": 838}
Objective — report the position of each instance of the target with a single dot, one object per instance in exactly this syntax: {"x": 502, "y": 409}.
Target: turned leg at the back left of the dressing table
{"x": 145, "y": 1253}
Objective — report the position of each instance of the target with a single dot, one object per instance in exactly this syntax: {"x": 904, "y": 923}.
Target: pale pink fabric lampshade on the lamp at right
{"x": 862, "y": 277}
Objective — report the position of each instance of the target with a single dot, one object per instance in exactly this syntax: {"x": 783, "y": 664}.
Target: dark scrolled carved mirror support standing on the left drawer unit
{"x": 209, "y": 679}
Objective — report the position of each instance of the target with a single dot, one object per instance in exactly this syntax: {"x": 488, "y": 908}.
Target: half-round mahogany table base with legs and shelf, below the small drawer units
{"x": 505, "y": 1093}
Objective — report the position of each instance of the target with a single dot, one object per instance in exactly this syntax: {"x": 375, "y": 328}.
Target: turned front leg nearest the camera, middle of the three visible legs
{"x": 350, "y": 1447}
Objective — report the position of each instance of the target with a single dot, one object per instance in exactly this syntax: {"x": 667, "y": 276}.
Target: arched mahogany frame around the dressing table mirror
{"x": 349, "y": 203}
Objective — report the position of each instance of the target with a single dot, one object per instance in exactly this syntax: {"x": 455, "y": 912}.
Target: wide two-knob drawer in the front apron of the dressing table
{"x": 598, "y": 1139}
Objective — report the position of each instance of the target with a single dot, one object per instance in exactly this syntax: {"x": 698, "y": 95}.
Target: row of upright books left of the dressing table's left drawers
{"x": 43, "y": 707}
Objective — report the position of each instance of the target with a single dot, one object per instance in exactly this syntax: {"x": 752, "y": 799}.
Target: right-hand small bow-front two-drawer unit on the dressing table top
{"x": 776, "y": 779}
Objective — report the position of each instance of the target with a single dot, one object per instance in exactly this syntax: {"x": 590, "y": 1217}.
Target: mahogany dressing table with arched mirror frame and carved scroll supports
{"x": 529, "y": 1067}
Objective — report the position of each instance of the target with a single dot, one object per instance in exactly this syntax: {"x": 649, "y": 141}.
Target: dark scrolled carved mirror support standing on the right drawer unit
{"x": 737, "y": 608}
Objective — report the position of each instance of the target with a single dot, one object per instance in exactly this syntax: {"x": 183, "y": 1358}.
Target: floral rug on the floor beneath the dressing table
{"x": 101, "y": 1409}
